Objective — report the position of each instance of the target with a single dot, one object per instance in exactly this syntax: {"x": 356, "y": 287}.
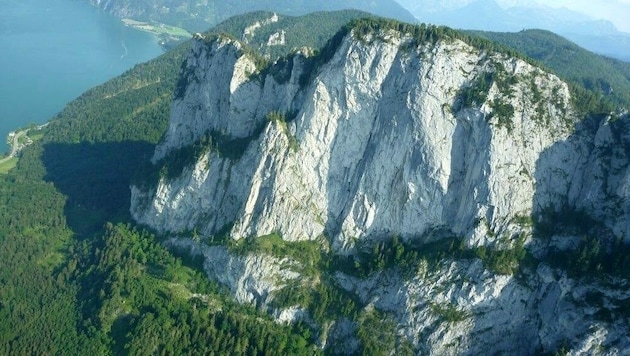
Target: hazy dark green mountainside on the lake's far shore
{"x": 196, "y": 16}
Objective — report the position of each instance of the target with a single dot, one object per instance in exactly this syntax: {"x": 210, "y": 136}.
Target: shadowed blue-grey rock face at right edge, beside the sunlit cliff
{"x": 590, "y": 171}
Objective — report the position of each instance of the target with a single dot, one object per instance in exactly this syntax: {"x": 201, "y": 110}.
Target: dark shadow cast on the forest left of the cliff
{"x": 95, "y": 177}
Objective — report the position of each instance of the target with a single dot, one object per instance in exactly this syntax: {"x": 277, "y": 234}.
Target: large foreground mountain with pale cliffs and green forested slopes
{"x": 468, "y": 202}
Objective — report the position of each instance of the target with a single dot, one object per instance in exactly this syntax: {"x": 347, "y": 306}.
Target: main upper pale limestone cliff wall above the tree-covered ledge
{"x": 377, "y": 141}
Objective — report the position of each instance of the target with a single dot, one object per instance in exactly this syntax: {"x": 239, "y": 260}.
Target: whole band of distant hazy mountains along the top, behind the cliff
{"x": 599, "y": 36}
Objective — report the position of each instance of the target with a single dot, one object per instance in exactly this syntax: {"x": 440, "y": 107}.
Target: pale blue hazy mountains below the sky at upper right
{"x": 599, "y": 36}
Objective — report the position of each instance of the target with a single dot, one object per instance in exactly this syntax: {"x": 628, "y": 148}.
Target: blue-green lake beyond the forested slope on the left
{"x": 54, "y": 50}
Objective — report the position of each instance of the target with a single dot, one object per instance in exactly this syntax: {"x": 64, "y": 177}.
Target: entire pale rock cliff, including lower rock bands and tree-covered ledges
{"x": 420, "y": 180}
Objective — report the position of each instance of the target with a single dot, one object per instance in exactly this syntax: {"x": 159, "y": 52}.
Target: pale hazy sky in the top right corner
{"x": 616, "y": 11}
